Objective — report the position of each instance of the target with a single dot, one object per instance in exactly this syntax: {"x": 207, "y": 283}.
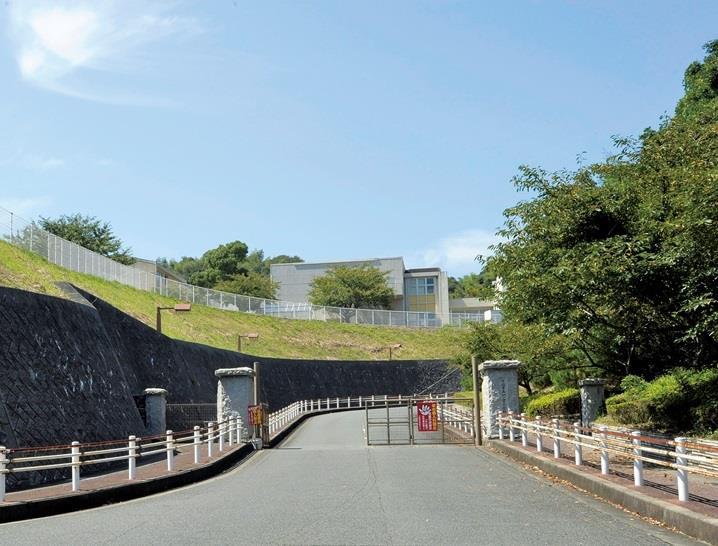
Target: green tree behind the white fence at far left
{"x": 91, "y": 233}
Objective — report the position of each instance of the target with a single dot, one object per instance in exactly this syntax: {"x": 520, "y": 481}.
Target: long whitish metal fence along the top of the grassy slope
{"x": 29, "y": 236}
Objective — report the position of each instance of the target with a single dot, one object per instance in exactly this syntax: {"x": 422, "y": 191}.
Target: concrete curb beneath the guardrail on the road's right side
{"x": 692, "y": 523}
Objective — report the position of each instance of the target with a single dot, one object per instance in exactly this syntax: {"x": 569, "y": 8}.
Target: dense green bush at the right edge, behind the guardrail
{"x": 679, "y": 401}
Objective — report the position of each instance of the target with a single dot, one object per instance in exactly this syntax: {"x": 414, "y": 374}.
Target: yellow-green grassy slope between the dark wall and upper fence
{"x": 277, "y": 337}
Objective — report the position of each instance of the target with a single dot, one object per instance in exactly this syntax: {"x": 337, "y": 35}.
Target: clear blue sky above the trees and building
{"x": 332, "y": 130}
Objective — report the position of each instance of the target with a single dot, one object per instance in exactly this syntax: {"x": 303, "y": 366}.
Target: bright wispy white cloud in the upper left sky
{"x": 73, "y": 48}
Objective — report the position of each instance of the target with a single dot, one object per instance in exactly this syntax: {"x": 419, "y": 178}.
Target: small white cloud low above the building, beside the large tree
{"x": 456, "y": 253}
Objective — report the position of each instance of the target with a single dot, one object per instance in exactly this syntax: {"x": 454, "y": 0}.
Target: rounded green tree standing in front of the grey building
{"x": 358, "y": 287}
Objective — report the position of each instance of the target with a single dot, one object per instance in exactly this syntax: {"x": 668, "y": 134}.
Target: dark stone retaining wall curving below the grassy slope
{"x": 69, "y": 368}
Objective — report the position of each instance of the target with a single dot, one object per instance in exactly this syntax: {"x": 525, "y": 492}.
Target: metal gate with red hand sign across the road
{"x": 419, "y": 420}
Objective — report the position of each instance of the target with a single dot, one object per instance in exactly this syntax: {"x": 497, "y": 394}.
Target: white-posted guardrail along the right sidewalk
{"x": 684, "y": 455}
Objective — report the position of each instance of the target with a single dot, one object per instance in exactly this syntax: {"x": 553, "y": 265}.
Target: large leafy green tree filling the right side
{"x": 622, "y": 256}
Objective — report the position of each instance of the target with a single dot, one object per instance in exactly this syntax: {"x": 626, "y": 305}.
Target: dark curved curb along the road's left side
{"x": 119, "y": 493}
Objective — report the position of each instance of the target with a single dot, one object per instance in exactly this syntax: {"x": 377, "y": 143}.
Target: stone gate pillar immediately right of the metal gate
{"x": 499, "y": 392}
